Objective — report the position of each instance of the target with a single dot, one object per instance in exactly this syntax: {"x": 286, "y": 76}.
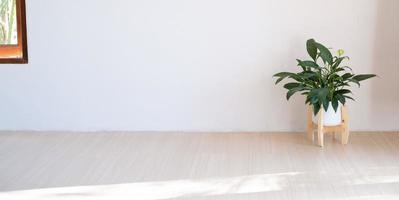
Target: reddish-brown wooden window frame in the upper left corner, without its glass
{"x": 17, "y": 54}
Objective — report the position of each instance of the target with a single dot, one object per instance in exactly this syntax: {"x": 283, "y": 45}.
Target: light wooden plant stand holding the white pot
{"x": 343, "y": 128}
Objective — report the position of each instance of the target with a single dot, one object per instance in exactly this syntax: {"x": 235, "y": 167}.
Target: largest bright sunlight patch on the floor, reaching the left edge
{"x": 160, "y": 190}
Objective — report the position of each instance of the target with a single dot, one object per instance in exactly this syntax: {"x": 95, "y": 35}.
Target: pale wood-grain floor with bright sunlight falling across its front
{"x": 211, "y": 166}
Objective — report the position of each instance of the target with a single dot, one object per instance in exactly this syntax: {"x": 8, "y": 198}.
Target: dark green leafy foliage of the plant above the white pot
{"x": 322, "y": 79}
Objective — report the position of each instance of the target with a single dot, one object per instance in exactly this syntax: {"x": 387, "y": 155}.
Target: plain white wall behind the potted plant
{"x": 192, "y": 65}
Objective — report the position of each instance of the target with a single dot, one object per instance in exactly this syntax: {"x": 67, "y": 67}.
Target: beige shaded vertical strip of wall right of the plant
{"x": 385, "y": 63}
